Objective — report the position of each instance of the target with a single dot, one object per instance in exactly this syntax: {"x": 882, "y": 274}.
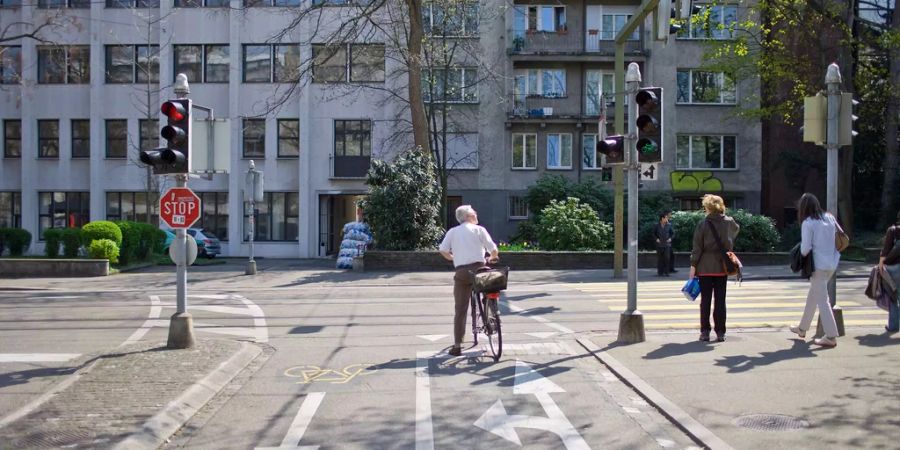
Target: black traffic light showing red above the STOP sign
{"x": 174, "y": 158}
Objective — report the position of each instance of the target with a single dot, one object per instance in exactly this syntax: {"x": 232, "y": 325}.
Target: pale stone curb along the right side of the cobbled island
{"x": 159, "y": 428}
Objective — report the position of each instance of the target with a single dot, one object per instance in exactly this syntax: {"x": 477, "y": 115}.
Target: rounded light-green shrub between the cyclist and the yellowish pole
{"x": 572, "y": 225}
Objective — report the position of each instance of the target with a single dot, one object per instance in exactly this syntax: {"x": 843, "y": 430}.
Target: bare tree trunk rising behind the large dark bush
{"x": 414, "y": 47}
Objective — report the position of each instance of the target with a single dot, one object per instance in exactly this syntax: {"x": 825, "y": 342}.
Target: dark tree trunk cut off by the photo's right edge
{"x": 888, "y": 196}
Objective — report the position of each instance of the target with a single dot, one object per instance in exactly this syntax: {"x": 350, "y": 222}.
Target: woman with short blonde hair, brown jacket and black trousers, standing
{"x": 713, "y": 239}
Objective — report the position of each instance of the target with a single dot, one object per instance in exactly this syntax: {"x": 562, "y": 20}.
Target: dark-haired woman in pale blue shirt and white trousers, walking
{"x": 817, "y": 232}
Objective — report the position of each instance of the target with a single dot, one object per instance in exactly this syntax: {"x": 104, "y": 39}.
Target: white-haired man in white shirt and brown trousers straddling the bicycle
{"x": 465, "y": 245}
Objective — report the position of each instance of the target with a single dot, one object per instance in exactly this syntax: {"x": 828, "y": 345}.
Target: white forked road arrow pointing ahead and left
{"x": 528, "y": 381}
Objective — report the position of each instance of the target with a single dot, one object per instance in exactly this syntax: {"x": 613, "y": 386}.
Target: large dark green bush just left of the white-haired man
{"x": 404, "y": 203}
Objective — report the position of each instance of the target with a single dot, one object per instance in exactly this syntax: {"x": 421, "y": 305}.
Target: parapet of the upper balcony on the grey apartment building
{"x": 593, "y": 42}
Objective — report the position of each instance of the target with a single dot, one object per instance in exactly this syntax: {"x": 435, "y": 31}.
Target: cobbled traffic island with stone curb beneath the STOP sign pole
{"x": 134, "y": 397}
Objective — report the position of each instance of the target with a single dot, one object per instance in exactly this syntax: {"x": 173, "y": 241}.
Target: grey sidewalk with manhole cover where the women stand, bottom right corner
{"x": 768, "y": 389}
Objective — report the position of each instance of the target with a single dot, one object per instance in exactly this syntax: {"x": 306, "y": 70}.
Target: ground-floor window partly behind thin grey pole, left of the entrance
{"x": 278, "y": 218}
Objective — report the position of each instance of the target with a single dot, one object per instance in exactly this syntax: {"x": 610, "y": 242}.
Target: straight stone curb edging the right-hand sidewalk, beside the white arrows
{"x": 681, "y": 419}
